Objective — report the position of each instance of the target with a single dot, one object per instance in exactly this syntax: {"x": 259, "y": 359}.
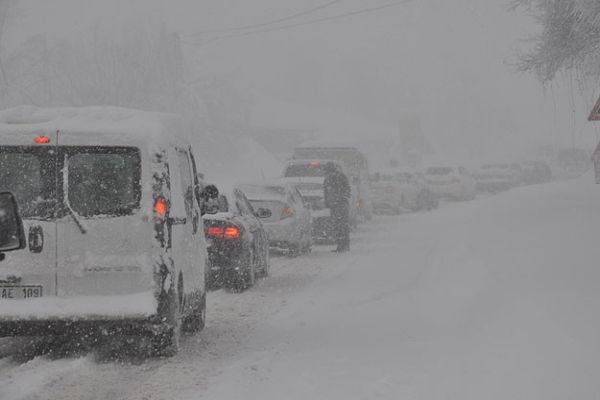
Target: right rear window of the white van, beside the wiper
{"x": 103, "y": 181}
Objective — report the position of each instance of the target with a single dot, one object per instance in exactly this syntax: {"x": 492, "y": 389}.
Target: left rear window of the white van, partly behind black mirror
{"x": 29, "y": 173}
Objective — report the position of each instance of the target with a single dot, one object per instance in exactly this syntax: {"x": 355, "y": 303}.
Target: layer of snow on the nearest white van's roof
{"x": 125, "y": 124}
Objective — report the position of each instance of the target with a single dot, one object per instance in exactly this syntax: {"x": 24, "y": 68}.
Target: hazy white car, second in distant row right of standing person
{"x": 451, "y": 183}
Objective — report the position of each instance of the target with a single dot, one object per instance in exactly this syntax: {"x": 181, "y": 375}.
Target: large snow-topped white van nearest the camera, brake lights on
{"x": 115, "y": 240}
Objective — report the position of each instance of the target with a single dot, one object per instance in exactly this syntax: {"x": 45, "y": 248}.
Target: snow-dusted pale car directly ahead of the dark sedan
{"x": 289, "y": 222}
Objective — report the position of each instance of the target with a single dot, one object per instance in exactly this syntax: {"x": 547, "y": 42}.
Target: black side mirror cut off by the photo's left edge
{"x": 12, "y": 236}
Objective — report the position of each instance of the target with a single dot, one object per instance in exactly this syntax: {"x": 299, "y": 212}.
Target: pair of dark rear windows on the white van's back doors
{"x": 102, "y": 180}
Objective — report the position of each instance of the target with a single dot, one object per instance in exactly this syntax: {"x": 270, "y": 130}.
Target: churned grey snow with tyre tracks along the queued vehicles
{"x": 232, "y": 318}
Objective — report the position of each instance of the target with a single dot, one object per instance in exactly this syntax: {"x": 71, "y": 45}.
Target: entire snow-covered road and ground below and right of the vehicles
{"x": 492, "y": 299}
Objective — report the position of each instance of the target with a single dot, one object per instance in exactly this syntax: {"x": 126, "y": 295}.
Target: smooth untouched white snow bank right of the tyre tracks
{"x": 490, "y": 299}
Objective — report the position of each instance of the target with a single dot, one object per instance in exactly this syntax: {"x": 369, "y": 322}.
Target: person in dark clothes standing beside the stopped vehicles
{"x": 337, "y": 195}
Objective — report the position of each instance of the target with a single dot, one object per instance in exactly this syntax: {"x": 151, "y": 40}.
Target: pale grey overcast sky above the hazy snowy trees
{"x": 449, "y": 61}
